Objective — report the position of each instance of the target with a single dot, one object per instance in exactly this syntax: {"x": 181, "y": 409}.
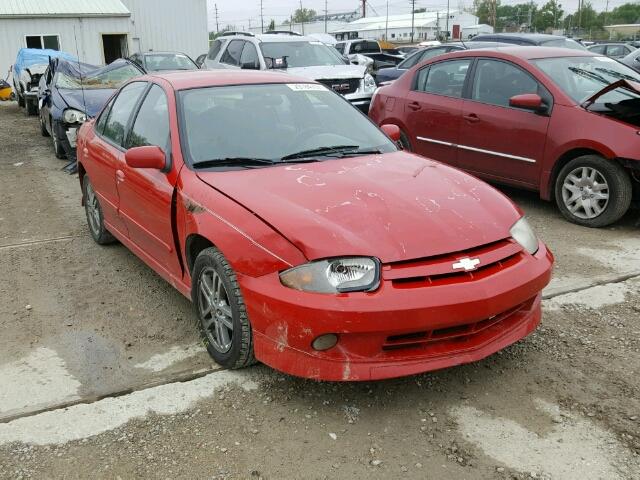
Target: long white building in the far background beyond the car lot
{"x": 397, "y": 28}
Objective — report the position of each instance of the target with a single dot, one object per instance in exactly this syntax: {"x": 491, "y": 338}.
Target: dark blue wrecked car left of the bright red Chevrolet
{"x": 70, "y": 92}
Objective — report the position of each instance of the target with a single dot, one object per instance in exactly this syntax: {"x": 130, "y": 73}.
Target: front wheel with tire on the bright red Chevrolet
{"x": 223, "y": 322}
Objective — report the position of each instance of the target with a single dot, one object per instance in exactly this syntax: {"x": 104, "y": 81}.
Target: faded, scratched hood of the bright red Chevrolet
{"x": 396, "y": 206}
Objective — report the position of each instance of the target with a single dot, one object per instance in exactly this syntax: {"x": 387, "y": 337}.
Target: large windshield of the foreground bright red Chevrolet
{"x": 271, "y": 122}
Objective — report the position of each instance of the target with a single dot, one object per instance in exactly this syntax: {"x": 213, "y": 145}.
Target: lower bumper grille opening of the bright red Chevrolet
{"x": 452, "y": 336}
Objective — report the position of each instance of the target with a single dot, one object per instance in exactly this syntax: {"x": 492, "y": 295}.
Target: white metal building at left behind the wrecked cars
{"x": 99, "y": 31}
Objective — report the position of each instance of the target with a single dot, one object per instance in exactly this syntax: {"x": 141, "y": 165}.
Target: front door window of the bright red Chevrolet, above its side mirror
{"x": 151, "y": 126}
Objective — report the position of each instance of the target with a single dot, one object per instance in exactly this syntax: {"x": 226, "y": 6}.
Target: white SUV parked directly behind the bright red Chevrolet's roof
{"x": 295, "y": 54}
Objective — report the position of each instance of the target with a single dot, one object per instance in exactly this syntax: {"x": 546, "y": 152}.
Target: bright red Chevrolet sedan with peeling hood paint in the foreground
{"x": 304, "y": 238}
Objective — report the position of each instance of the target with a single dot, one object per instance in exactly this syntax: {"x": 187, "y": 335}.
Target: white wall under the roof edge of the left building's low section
{"x": 87, "y": 31}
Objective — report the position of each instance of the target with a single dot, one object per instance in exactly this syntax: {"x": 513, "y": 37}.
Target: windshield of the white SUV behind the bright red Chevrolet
{"x": 302, "y": 54}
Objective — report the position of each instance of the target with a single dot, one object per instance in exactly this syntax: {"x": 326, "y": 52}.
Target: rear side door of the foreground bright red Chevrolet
{"x": 106, "y": 154}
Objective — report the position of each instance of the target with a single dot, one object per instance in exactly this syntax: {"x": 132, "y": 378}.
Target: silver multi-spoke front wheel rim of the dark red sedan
{"x": 585, "y": 193}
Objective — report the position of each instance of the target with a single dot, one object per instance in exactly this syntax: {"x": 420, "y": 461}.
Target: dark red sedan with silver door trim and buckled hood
{"x": 561, "y": 122}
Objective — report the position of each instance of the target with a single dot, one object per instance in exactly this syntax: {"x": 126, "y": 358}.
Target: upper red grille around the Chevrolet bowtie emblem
{"x": 439, "y": 270}
